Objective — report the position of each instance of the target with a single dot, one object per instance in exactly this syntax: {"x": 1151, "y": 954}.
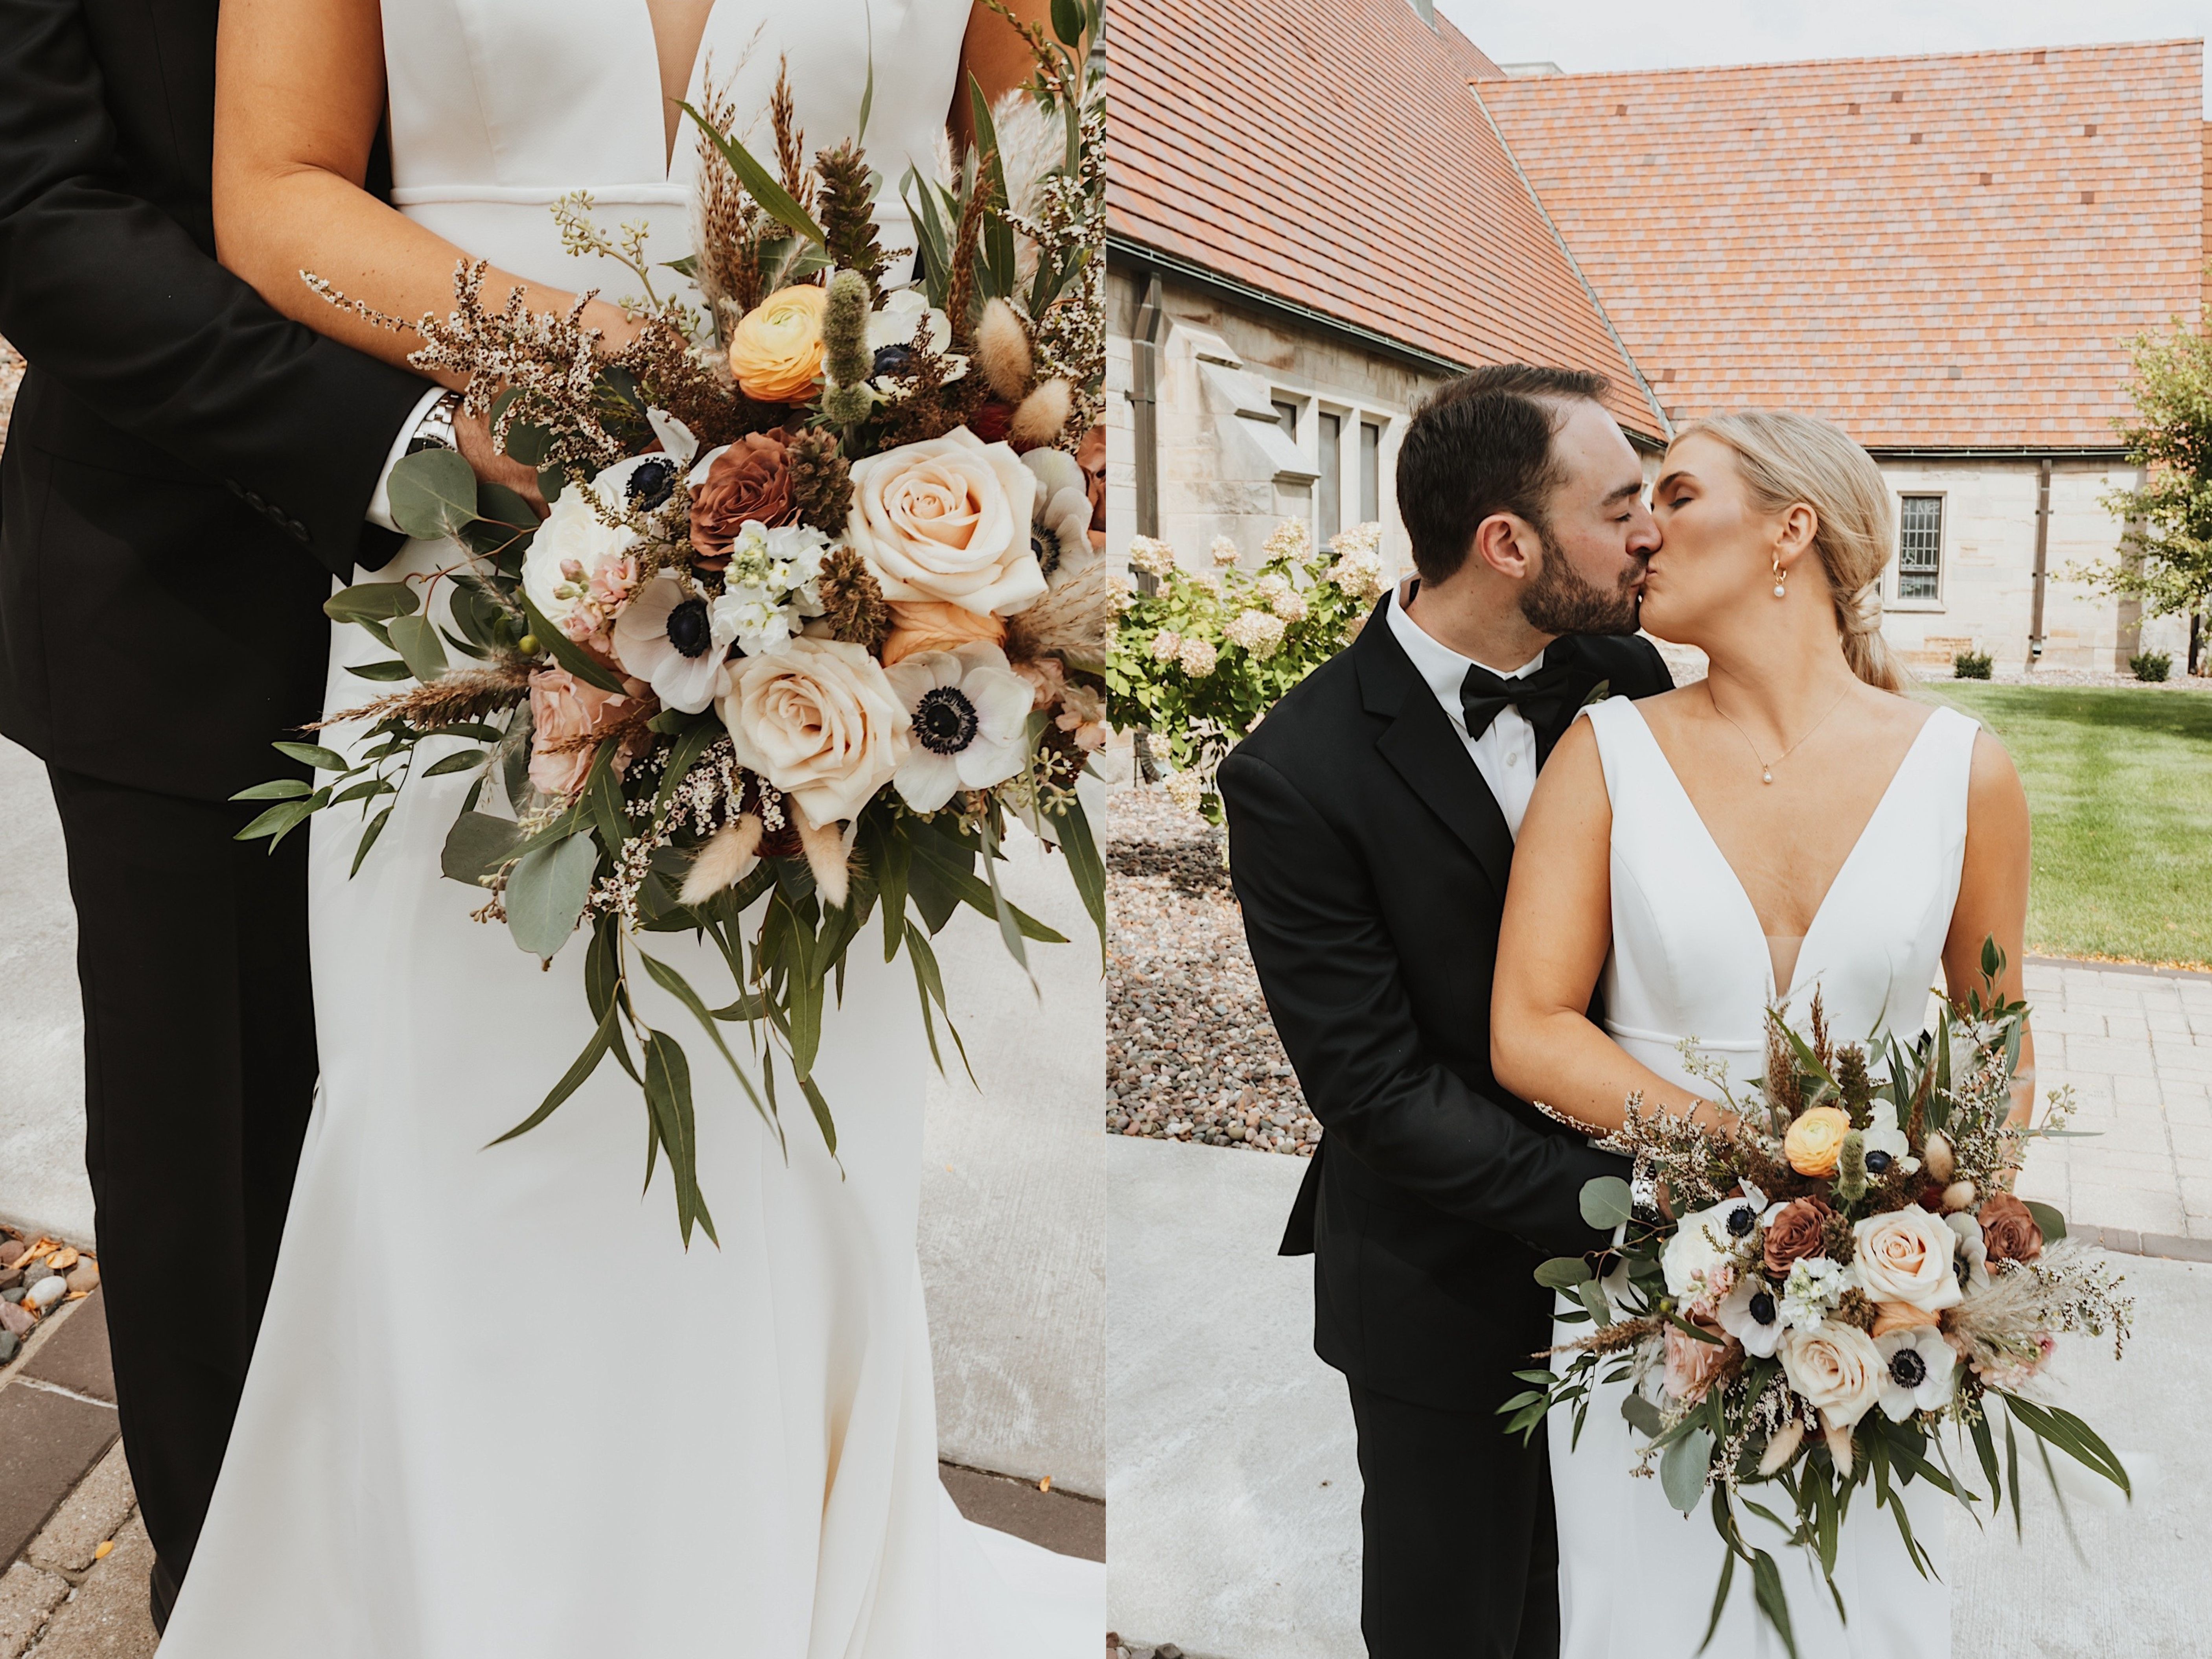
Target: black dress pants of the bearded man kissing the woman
{"x": 1461, "y": 1545}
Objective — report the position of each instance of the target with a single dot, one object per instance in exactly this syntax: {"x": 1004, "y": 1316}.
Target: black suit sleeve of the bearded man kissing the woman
{"x": 1333, "y": 983}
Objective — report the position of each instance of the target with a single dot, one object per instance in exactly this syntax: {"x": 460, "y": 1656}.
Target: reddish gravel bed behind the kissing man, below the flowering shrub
{"x": 1191, "y": 1052}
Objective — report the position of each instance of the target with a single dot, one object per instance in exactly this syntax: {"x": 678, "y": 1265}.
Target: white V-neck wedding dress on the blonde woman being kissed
{"x": 1691, "y": 961}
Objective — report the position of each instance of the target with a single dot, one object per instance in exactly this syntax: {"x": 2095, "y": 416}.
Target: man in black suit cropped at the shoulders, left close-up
{"x": 185, "y": 477}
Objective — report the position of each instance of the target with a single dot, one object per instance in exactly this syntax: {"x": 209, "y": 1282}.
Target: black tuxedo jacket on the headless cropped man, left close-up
{"x": 187, "y": 470}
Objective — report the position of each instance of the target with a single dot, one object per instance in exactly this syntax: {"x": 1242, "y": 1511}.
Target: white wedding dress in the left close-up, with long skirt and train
{"x": 497, "y": 1410}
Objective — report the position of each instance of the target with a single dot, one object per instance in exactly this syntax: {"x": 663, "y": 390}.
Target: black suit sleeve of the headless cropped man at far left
{"x": 121, "y": 306}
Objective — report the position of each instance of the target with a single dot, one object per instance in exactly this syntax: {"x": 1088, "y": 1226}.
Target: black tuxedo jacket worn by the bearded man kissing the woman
{"x": 1373, "y": 864}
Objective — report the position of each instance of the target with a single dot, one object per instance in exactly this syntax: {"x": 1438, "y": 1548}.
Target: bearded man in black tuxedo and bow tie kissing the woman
{"x": 1373, "y": 826}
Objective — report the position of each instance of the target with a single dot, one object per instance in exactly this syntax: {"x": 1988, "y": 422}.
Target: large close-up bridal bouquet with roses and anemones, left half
{"x": 817, "y": 607}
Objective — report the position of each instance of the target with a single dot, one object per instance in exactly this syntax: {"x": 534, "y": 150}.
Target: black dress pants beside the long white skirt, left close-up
{"x": 198, "y": 1083}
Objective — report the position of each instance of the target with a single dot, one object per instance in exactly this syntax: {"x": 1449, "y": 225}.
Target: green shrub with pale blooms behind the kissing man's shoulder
{"x": 1202, "y": 660}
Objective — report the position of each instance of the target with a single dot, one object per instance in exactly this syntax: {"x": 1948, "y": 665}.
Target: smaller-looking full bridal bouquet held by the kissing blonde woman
{"x": 1850, "y": 1291}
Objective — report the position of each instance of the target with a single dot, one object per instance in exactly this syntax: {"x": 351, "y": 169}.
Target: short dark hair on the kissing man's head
{"x": 1481, "y": 446}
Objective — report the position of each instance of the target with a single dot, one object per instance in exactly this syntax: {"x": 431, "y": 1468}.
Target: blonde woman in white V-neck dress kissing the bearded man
{"x": 1784, "y": 828}
